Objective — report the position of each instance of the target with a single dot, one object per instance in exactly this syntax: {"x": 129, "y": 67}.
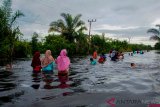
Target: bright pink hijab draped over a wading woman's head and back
{"x": 63, "y": 61}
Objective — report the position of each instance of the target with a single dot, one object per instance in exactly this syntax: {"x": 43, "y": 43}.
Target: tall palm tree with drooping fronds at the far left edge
{"x": 9, "y": 33}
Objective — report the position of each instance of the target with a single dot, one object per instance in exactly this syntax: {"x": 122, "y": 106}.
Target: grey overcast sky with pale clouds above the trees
{"x": 115, "y": 18}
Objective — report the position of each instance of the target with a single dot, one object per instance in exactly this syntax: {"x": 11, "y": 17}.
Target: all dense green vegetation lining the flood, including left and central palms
{"x": 71, "y": 37}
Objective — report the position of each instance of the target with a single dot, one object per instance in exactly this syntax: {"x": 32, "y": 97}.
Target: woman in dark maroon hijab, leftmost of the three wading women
{"x": 36, "y": 63}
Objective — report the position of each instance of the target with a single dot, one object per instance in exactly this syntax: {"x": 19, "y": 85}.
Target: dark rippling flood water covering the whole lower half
{"x": 87, "y": 85}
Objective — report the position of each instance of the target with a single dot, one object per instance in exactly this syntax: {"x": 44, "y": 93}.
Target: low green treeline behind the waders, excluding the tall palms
{"x": 81, "y": 46}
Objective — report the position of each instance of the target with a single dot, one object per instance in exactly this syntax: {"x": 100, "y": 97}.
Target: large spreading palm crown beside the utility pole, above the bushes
{"x": 69, "y": 26}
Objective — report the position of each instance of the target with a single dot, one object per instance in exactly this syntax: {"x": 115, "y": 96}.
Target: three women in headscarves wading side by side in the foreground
{"x": 48, "y": 63}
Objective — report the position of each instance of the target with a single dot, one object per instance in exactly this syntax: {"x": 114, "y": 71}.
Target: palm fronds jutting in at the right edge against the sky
{"x": 156, "y": 33}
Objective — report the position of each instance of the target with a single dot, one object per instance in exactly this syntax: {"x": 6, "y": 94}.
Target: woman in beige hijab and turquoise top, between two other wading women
{"x": 47, "y": 62}
